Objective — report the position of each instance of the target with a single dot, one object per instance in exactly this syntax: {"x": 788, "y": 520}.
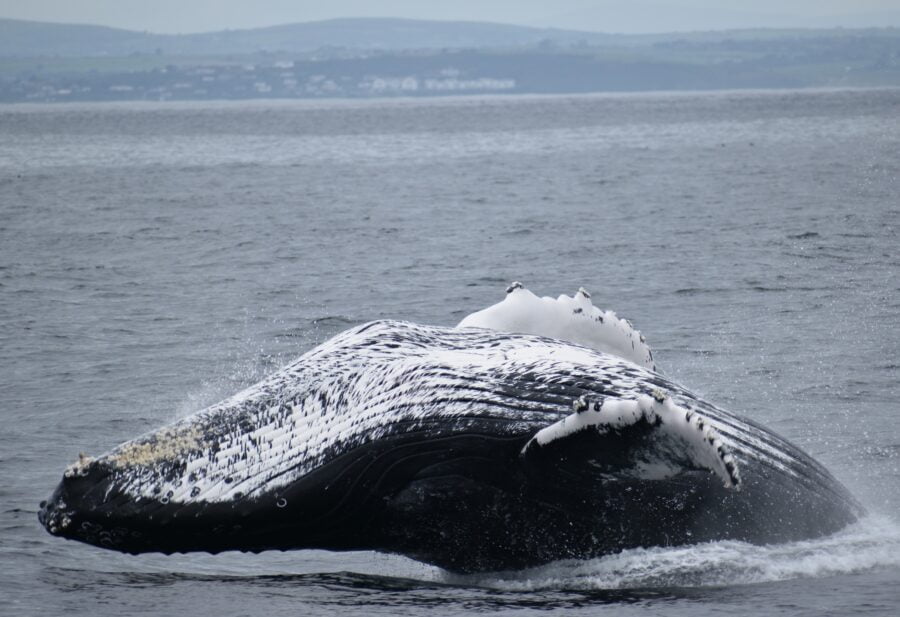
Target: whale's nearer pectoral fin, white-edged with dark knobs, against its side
{"x": 647, "y": 438}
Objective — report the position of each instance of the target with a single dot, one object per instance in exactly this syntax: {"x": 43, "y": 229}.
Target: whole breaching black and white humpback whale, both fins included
{"x": 471, "y": 448}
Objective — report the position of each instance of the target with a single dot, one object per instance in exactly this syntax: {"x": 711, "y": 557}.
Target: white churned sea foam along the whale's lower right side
{"x": 871, "y": 543}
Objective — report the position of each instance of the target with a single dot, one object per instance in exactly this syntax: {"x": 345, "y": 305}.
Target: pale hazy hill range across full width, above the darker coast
{"x": 29, "y": 39}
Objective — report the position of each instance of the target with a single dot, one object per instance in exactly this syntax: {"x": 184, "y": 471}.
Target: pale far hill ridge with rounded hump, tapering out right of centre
{"x": 30, "y": 39}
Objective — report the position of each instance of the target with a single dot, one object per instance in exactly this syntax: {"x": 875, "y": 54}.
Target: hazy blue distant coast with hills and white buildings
{"x": 390, "y": 58}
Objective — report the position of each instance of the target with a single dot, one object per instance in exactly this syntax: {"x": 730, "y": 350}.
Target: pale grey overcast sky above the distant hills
{"x": 600, "y": 15}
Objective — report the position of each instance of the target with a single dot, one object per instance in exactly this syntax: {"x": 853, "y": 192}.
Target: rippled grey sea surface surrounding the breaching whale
{"x": 155, "y": 258}
